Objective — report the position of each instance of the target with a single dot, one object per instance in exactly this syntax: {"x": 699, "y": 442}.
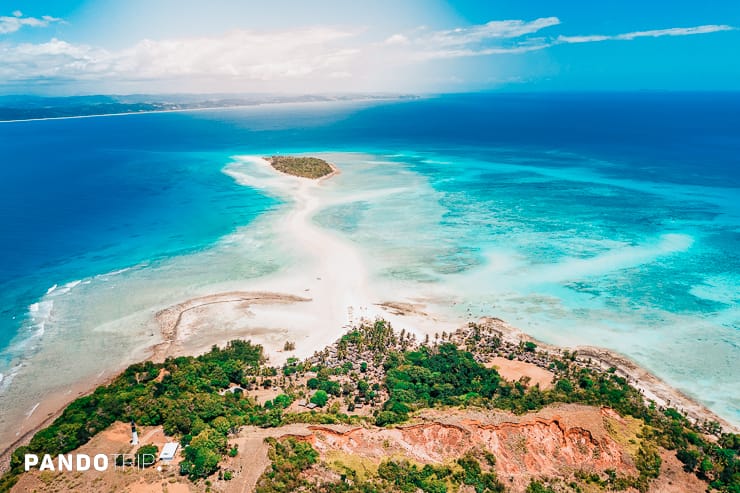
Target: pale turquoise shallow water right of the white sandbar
{"x": 571, "y": 256}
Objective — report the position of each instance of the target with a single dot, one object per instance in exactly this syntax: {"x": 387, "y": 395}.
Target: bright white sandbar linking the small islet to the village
{"x": 330, "y": 273}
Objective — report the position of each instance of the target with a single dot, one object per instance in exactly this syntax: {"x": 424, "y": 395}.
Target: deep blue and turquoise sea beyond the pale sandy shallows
{"x": 88, "y": 196}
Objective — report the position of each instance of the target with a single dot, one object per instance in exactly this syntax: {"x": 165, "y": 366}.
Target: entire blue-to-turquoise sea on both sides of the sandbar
{"x": 584, "y": 219}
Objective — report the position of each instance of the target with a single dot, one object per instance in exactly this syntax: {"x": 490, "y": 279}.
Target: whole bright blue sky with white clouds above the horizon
{"x": 113, "y": 46}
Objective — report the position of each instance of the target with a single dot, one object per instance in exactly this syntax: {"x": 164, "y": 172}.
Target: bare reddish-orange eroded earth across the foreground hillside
{"x": 554, "y": 442}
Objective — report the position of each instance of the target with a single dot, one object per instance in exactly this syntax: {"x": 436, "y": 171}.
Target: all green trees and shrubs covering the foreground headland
{"x": 185, "y": 395}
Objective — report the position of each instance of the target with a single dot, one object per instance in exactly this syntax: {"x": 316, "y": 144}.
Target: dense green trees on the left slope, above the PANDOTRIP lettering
{"x": 185, "y": 401}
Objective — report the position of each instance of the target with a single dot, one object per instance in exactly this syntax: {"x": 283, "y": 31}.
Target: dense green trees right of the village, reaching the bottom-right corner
{"x": 445, "y": 375}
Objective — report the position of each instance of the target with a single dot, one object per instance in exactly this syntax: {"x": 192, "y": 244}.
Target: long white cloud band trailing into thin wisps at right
{"x": 317, "y": 58}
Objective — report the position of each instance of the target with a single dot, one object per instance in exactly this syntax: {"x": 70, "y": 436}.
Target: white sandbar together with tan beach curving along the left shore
{"x": 311, "y": 302}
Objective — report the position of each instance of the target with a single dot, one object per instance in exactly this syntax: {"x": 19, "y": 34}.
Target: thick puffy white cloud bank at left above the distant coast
{"x": 238, "y": 54}
